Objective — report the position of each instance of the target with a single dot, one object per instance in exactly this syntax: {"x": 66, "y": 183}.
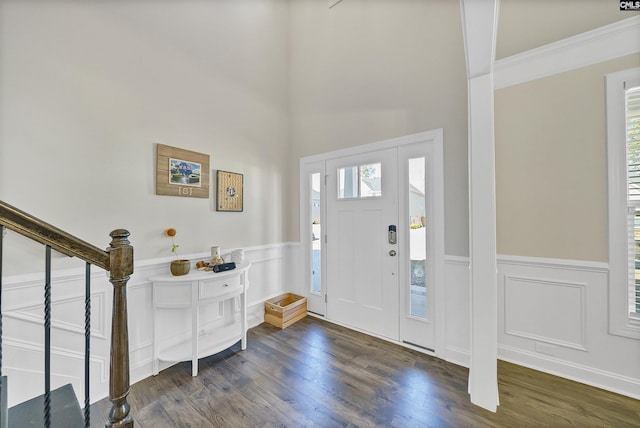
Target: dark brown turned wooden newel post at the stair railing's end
{"x": 121, "y": 266}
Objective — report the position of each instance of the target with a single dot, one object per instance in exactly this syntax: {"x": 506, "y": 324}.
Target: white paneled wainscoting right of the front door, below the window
{"x": 552, "y": 317}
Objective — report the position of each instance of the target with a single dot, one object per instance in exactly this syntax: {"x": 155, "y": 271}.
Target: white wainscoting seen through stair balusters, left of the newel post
{"x": 23, "y": 333}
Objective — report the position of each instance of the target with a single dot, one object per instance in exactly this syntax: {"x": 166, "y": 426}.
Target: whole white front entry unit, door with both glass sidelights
{"x": 349, "y": 199}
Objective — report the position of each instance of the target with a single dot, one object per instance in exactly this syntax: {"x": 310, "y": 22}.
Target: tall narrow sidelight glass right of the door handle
{"x": 417, "y": 238}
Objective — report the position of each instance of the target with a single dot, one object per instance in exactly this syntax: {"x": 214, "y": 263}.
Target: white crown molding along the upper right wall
{"x": 602, "y": 44}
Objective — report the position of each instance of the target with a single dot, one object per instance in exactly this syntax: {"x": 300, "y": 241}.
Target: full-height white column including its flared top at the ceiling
{"x": 479, "y": 19}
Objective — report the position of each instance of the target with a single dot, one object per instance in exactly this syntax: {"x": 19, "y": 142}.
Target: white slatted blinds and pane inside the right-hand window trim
{"x": 632, "y": 121}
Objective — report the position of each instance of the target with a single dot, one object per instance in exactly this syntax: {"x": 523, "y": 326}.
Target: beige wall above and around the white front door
{"x": 370, "y": 70}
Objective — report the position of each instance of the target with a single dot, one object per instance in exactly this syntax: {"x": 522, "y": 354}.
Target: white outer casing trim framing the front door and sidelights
{"x": 435, "y": 139}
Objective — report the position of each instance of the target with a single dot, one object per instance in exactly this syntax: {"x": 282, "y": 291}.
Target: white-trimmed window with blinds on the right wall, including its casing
{"x": 623, "y": 196}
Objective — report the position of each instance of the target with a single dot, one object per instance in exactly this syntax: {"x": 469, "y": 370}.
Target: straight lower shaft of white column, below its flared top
{"x": 483, "y": 375}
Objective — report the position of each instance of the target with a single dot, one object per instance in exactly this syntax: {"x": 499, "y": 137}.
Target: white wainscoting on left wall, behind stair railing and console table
{"x": 23, "y": 337}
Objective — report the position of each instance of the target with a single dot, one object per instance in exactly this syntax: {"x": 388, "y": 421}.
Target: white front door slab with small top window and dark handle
{"x": 362, "y": 262}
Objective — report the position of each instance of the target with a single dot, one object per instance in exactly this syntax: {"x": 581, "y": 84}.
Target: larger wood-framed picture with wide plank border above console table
{"x": 181, "y": 172}
